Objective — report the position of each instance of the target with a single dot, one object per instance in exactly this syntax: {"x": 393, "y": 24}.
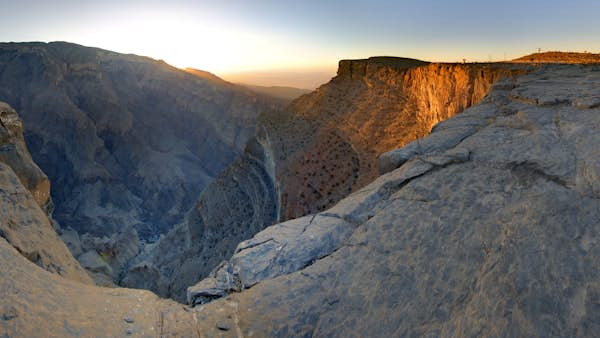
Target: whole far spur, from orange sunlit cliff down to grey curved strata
{"x": 321, "y": 148}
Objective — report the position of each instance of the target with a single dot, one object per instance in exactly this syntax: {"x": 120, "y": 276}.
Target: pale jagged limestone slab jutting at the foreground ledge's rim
{"x": 277, "y": 250}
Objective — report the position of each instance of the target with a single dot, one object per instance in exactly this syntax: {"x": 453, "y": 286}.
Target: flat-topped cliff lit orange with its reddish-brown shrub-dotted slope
{"x": 371, "y": 107}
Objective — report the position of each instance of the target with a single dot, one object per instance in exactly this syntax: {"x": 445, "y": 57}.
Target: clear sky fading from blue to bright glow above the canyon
{"x": 278, "y": 41}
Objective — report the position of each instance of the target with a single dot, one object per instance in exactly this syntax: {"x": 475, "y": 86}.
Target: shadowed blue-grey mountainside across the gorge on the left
{"x": 127, "y": 141}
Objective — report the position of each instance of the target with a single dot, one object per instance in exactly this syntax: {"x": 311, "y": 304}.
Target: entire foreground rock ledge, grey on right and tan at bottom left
{"x": 489, "y": 228}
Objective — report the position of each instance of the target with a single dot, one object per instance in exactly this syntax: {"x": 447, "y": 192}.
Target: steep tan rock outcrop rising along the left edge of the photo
{"x": 24, "y": 203}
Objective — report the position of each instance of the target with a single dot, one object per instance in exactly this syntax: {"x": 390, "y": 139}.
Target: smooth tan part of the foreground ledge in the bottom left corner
{"x": 36, "y": 303}
